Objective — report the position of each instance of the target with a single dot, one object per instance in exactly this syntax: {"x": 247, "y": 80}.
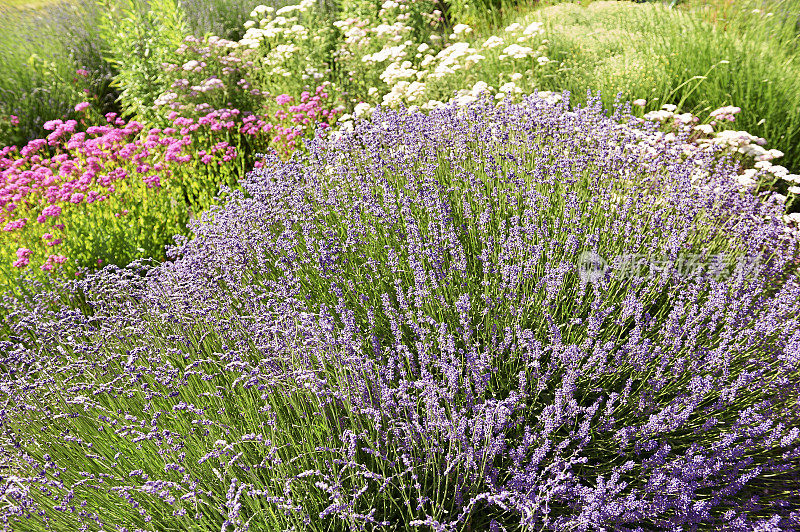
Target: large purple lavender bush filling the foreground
{"x": 394, "y": 332}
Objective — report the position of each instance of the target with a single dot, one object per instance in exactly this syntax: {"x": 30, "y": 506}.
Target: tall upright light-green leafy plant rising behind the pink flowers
{"x": 141, "y": 37}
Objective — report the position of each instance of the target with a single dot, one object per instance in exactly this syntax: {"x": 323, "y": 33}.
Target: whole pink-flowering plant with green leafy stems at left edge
{"x": 111, "y": 193}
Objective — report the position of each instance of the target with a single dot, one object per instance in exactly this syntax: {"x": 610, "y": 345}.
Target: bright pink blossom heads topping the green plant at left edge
{"x": 70, "y": 169}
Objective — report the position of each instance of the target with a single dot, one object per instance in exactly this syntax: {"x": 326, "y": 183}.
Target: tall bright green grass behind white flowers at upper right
{"x": 698, "y": 57}
